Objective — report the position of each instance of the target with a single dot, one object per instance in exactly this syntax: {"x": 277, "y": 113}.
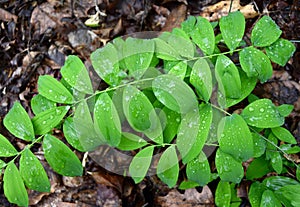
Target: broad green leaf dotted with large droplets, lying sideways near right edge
{"x": 263, "y": 114}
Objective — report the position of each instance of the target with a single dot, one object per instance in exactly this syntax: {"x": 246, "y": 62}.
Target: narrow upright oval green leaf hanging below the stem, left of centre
{"x": 107, "y": 119}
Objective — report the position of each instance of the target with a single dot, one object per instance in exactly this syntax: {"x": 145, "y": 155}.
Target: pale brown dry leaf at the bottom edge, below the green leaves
{"x": 190, "y": 198}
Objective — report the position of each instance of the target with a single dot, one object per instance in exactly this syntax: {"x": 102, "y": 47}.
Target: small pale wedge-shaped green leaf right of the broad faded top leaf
{"x": 165, "y": 51}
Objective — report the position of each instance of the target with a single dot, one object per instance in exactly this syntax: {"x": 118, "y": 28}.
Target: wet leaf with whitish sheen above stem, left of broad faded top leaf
{"x": 105, "y": 61}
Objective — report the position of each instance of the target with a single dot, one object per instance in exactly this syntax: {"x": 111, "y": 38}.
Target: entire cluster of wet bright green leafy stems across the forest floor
{"x": 172, "y": 92}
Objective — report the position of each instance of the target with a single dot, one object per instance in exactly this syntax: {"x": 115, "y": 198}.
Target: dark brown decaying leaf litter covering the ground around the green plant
{"x": 36, "y": 37}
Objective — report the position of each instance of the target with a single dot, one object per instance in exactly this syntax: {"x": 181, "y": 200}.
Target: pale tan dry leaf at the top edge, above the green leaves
{"x": 216, "y": 11}
